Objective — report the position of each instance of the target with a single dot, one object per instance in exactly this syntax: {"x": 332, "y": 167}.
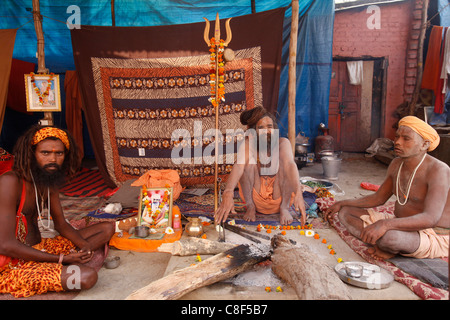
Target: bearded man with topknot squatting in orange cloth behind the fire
{"x": 265, "y": 171}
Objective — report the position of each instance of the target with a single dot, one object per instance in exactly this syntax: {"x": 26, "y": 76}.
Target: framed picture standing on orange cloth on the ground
{"x": 155, "y": 208}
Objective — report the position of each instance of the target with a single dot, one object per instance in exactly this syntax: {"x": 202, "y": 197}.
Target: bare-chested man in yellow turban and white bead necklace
{"x": 421, "y": 184}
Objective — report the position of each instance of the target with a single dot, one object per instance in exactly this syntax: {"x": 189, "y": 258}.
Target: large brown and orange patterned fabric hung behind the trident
{"x": 140, "y": 85}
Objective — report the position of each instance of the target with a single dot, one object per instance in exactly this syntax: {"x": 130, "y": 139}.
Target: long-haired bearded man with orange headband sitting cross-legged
{"x": 29, "y": 264}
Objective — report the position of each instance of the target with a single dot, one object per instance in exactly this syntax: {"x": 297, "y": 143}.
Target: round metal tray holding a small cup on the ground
{"x": 373, "y": 276}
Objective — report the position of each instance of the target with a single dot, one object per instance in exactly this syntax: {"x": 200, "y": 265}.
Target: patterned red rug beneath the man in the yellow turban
{"x": 420, "y": 288}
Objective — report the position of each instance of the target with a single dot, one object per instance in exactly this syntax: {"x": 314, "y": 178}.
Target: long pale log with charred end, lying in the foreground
{"x": 217, "y": 268}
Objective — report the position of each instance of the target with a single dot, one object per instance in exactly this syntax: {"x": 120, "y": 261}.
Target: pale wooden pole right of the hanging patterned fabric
{"x": 292, "y": 74}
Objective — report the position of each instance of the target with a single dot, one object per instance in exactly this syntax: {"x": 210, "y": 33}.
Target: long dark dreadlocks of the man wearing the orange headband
{"x": 24, "y": 154}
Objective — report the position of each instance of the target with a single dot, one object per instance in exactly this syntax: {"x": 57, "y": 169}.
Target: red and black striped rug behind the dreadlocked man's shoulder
{"x": 87, "y": 183}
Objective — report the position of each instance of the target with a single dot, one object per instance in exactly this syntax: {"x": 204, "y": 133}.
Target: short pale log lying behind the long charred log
{"x": 192, "y": 246}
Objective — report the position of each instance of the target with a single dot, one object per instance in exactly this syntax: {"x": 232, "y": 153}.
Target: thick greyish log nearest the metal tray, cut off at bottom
{"x": 306, "y": 272}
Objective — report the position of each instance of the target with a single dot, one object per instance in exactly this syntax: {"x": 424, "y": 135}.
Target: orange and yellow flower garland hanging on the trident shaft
{"x": 217, "y": 48}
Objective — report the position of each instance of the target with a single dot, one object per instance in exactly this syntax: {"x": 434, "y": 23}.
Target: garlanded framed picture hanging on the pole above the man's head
{"x": 42, "y": 92}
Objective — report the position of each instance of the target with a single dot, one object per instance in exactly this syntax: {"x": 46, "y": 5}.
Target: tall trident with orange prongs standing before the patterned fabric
{"x": 216, "y": 107}
